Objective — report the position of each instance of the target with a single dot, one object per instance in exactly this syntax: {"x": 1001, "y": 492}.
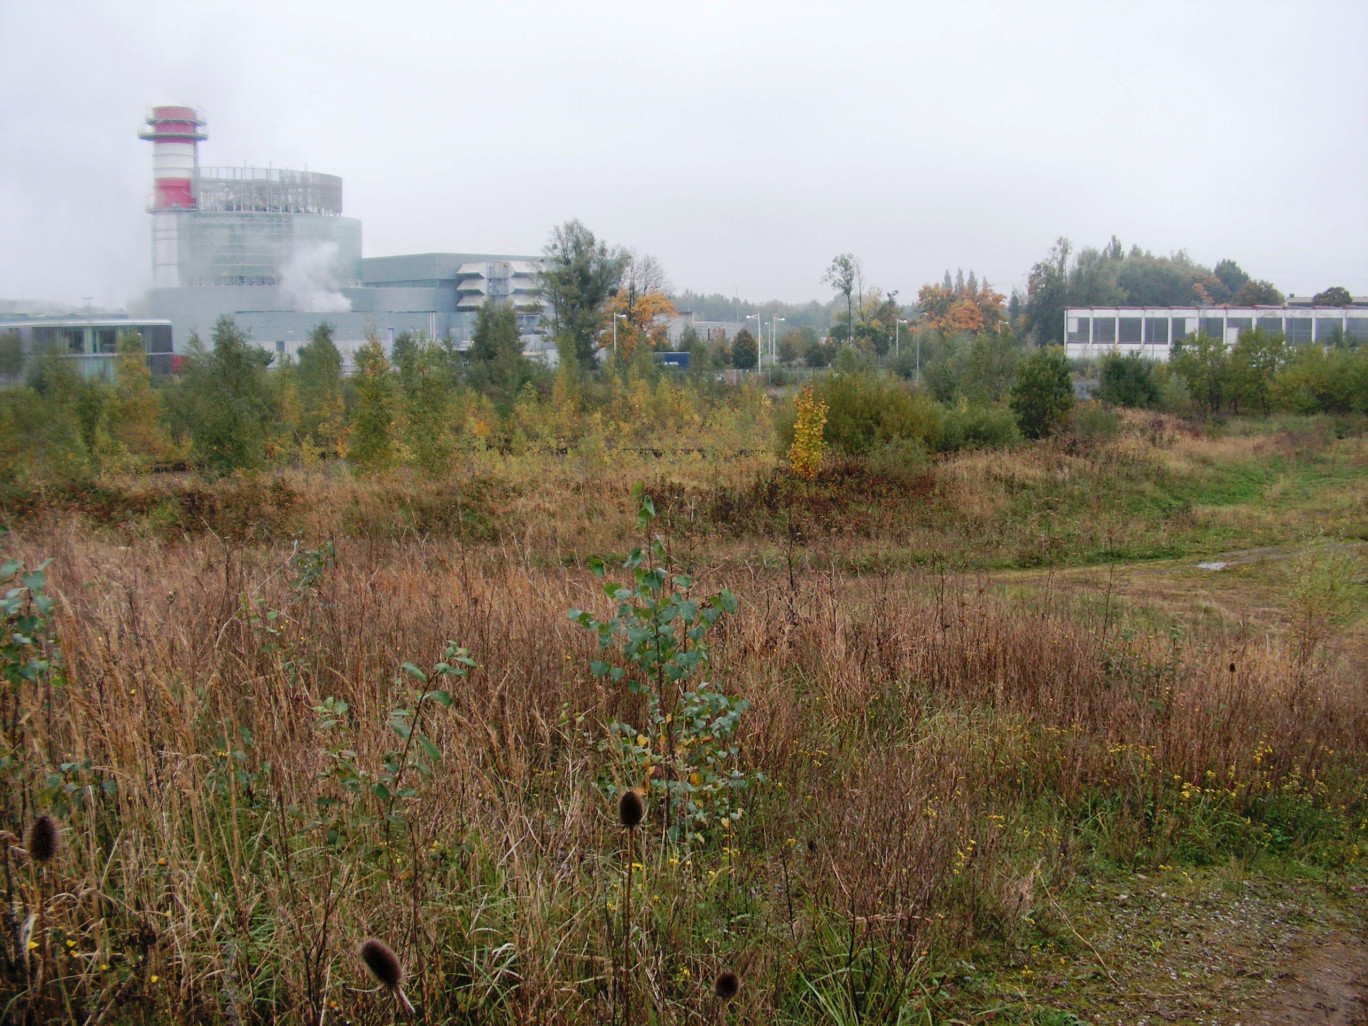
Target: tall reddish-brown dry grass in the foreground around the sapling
{"x": 935, "y": 754}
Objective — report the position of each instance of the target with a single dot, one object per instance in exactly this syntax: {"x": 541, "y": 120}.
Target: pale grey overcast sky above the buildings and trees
{"x": 744, "y": 144}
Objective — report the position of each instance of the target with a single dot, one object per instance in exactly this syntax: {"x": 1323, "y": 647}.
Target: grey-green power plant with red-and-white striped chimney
{"x": 272, "y": 250}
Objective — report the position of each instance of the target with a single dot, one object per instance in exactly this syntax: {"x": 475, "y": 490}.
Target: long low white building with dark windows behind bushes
{"x": 1151, "y": 332}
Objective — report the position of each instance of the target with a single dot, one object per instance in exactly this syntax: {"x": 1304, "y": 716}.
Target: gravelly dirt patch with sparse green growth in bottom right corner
{"x": 1217, "y": 949}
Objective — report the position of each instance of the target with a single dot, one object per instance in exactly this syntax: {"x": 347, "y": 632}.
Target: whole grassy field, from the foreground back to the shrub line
{"x": 957, "y": 709}
